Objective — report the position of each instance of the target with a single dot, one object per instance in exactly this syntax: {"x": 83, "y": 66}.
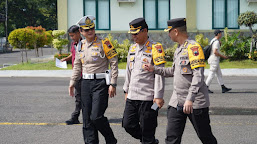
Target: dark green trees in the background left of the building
{"x": 22, "y": 13}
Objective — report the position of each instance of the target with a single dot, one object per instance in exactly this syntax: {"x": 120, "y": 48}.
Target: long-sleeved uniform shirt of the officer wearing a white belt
{"x": 92, "y": 58}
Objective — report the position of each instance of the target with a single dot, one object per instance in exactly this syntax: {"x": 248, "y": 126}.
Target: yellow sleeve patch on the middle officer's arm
{"x": 158, "y": 54}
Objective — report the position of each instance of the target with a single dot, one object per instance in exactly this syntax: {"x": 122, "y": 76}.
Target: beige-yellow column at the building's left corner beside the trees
{"x": 62, "y": 14}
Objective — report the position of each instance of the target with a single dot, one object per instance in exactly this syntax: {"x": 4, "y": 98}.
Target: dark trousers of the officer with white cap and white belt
{"x": 94, "y": 100}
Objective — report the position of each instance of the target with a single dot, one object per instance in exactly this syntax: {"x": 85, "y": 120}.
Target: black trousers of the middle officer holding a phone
{"x": 140, "y": 121}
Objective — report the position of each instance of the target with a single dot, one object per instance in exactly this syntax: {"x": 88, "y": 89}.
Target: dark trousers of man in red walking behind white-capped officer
{"x": 76, "y": 112}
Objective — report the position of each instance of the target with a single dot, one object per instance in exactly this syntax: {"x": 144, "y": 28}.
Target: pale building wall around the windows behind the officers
{"x": 70, "y": 11}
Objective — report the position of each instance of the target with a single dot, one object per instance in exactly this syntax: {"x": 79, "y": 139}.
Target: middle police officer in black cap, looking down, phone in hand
{"x": 142, "y": 88}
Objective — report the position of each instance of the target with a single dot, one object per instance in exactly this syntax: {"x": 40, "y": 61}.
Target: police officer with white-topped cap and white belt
{"x": 98, "y": 84}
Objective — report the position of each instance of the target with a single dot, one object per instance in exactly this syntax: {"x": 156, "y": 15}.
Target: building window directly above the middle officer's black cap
{"x": 156, "y": 13}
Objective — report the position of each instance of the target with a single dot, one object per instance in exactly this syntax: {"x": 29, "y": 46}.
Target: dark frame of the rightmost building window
{"x": 226, "y": 15}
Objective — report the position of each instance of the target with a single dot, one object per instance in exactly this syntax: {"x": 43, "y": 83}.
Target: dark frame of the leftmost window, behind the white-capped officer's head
{"x": 96, "y": 12}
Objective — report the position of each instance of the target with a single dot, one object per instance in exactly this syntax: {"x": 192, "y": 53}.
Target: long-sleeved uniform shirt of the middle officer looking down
{"x": 141, "y": 84}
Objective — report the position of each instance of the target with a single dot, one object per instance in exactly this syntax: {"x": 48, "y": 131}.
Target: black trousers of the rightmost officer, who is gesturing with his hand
{"x": 200, "y": 120}
